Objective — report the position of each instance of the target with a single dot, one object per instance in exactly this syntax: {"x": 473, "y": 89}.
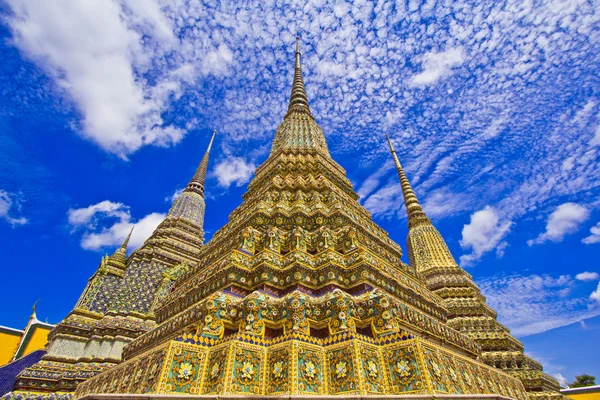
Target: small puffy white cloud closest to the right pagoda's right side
{"x": 482, "y": 234}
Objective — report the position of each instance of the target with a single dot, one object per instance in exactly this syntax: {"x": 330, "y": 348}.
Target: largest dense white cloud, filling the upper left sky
{"x": 97, "y": 51}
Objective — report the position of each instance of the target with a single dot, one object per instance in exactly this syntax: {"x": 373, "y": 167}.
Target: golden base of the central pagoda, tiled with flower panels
{"x": 295, "y": 364}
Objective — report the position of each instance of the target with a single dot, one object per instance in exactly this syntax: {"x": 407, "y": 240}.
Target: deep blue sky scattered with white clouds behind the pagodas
{"x": 106, "y": 108}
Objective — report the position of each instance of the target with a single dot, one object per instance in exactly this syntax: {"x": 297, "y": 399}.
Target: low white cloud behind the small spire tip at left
{"x": 107, "y": 224}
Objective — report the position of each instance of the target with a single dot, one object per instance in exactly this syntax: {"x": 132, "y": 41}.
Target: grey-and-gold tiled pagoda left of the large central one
{"x": 118, "y": 301}
